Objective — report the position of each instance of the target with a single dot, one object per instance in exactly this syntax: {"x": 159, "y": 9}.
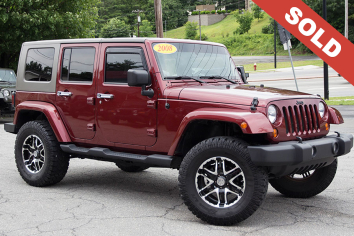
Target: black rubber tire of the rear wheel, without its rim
{"x": 56, "y": 161}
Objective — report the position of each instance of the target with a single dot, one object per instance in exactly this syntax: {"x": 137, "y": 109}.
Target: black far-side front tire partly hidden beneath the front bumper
{"x": 307, "y": 187}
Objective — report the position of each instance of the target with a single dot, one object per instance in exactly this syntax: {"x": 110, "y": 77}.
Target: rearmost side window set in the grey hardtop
{"x": 39, "y": 64}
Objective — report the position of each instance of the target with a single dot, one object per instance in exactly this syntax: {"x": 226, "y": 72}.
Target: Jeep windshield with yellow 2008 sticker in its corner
{"x": 194, "y": 60}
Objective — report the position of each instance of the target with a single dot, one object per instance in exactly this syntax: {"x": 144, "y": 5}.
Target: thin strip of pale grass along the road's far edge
{"x": 269, "y": 66}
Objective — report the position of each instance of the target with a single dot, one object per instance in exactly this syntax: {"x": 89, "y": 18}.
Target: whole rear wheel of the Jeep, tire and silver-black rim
{"x": 39, "y": 159}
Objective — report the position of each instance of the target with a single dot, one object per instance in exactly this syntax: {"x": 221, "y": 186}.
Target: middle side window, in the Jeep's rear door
{"x": 78, "y": 64}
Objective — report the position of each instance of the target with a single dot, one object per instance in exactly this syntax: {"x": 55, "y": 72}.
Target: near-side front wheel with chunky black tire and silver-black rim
{"x": 219, "y": 183}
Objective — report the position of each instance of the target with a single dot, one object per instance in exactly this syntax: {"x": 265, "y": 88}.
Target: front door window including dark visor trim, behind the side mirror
{"x": 120, "y": 60}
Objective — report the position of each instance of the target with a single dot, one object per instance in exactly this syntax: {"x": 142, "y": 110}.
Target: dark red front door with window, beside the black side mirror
{"x": 123, "y": 115}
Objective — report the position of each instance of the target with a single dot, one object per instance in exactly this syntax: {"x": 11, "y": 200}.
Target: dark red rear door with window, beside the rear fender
{"x": 76, "y": 89}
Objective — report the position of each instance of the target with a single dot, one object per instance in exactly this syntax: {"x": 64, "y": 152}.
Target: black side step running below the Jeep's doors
{"x": 108, "y": 155}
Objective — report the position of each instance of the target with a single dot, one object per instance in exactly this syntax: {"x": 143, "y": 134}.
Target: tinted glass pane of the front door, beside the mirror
{"x": 117, "y": 65}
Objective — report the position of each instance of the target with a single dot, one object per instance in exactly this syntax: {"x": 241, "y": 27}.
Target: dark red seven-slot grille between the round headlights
{"x": 301, "y": 119}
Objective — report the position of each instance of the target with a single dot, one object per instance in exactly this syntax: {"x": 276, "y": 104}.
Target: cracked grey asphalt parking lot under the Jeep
{"x": 96, "y": 198}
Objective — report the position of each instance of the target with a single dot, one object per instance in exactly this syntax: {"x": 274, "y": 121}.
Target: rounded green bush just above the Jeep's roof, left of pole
{"x": 115, "y": 28}
